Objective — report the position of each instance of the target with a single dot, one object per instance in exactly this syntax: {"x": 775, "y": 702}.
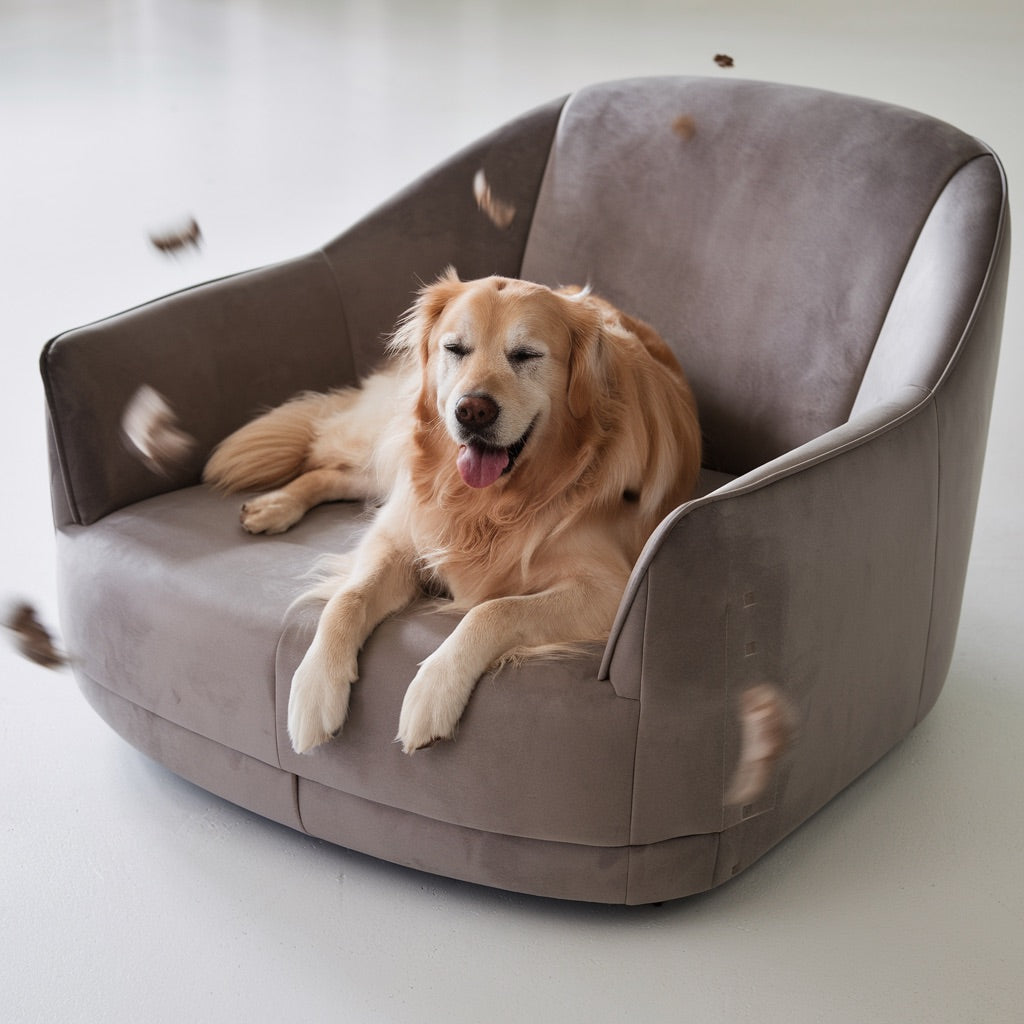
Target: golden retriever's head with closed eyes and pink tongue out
{"x": 509, "y": 368}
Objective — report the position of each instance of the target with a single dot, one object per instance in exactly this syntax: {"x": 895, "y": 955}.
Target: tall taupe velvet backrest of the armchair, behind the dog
{"x": 782, "y": 239}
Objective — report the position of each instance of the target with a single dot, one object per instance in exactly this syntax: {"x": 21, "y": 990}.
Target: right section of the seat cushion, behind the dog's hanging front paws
{"x": 544, "y": 751}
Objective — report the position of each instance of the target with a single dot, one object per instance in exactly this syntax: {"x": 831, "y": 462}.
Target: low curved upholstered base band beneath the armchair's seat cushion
{"x": 630, "y": 875}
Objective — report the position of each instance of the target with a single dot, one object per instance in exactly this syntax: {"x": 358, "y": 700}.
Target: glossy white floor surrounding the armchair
{"x": 127, "y": 895}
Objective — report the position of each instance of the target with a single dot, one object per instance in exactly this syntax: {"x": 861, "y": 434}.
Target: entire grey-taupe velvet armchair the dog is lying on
{"x": 832, "y": 274}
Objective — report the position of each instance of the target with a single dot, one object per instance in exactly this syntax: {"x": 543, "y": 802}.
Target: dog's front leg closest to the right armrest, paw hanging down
{"x": 574, "y": 613}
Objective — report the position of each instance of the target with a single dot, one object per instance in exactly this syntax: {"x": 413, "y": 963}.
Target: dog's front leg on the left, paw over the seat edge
{"x": 382, "y": 582}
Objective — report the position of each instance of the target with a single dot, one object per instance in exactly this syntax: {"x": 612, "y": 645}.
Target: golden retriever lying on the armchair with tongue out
{"x": 525, "y": 443}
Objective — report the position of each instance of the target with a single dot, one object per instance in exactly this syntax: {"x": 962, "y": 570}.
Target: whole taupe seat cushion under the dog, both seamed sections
{"x": 170, "y": 606}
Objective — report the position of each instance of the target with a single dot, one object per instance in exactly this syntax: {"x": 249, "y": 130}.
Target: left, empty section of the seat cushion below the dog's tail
{"x": 170, "y": 605}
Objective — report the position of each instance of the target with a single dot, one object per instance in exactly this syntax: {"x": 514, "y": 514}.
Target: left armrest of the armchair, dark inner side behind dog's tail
{"x": 218, "y": 353}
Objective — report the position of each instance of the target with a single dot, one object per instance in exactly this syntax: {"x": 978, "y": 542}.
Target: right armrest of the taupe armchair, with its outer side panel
{"x": 814, "y": 573}
